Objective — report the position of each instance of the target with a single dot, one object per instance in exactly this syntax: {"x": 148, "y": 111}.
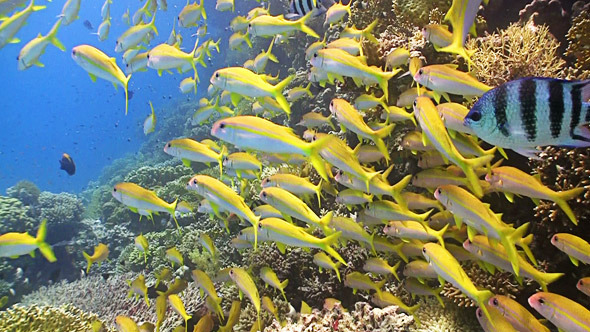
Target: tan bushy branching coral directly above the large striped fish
{"x": 517, "y": 51}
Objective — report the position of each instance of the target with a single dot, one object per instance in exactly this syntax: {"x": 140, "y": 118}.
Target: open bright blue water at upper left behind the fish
{"x": 56, "y": 109}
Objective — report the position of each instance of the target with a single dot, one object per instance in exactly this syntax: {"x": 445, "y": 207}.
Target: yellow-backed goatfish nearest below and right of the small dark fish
{"x": 143, "y": 201}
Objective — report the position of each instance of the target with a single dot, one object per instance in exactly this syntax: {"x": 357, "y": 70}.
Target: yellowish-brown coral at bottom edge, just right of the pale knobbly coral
{"x": 434, "y": 318}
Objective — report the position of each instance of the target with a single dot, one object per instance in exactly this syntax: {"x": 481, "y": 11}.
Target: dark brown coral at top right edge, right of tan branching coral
{"x": 578, "y": 37}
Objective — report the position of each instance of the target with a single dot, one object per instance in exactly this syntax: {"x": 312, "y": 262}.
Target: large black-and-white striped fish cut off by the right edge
{"x": 533, "y": 111}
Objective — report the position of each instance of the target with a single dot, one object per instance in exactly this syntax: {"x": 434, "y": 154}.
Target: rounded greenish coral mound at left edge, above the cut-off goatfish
{"x": 14, "y": 216}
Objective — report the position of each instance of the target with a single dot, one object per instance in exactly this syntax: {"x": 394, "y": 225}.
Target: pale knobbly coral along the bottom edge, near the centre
{"x": 363, "y": 318}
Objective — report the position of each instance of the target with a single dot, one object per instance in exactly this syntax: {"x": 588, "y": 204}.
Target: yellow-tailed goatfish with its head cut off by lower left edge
{"x": 18, "y": 244}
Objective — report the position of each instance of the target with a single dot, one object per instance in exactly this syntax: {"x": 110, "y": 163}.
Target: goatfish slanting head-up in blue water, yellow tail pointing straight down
{"x": 98, "y": 64}
